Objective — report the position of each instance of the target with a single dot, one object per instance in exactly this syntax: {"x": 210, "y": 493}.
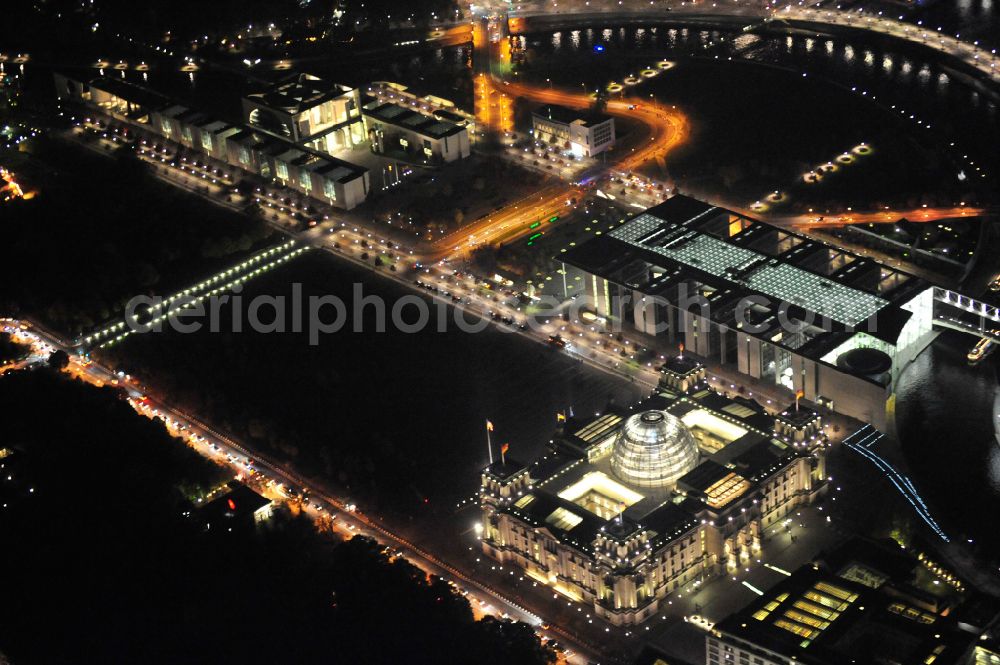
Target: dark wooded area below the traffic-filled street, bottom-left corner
{"x": 112, "y": 567}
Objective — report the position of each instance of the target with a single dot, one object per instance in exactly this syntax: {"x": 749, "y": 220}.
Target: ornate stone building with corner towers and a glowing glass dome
{"x": 631, "y": 505}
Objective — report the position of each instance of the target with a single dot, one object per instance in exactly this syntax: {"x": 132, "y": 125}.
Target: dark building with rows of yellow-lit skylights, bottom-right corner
{"x": 852, "y": 608}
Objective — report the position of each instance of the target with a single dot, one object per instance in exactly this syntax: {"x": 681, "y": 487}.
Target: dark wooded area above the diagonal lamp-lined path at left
{"x": 104, "y": 230}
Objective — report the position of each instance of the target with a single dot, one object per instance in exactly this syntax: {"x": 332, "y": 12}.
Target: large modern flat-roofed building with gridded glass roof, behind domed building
{"x": 765, "y": 301}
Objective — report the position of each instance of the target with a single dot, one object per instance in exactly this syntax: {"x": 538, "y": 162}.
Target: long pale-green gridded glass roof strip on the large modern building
{"x": 756, "y": 271}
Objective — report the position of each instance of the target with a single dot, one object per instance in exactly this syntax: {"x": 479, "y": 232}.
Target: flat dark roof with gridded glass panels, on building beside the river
{"x": 687, "y": 246}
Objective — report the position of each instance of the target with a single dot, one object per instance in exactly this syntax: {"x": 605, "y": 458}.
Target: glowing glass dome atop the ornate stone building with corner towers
{"x": 653, "y": 449}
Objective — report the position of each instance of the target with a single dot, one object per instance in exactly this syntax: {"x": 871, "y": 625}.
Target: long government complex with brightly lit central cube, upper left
{"x": 291, "y": 132}
